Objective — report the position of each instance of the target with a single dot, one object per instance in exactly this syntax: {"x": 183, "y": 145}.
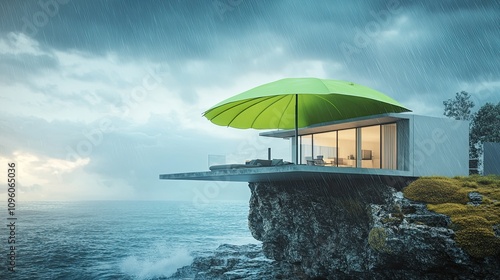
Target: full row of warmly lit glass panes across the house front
{"x": 366, "y": 147}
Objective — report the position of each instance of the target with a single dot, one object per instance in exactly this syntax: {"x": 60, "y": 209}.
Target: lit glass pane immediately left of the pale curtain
{"x": 370, "y": 146}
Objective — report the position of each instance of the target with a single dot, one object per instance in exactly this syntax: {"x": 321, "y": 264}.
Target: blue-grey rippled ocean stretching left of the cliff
{"x": 117, "y": 239}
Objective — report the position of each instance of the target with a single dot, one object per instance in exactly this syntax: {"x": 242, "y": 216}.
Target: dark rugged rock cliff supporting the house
{"x": 358, "y": 228}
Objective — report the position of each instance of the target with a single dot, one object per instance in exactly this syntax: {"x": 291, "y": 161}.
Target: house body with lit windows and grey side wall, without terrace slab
{"x": 408, "y": 144}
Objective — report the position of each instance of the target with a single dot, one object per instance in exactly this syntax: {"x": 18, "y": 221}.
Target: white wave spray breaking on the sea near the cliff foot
{"x": 142, "y": 268}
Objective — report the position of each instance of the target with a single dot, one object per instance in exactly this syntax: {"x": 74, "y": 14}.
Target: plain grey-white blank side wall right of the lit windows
{"x": 439, "y": 146}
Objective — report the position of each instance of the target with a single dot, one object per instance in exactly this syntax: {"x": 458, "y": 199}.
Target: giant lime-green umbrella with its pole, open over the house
{"x": 300, "y": 102}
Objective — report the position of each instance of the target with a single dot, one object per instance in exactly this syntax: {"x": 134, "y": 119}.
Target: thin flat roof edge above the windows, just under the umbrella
{"x": 338, "y": 125}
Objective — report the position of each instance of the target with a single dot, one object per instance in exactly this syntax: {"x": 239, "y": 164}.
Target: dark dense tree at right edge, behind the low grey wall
{"x": 485, "y": 127}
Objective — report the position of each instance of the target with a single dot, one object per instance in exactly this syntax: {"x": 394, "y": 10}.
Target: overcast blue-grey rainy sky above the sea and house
{"x": 100, "y": 97}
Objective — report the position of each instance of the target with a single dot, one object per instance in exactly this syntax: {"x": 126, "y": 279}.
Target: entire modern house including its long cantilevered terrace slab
{"x": 393, "y": 144}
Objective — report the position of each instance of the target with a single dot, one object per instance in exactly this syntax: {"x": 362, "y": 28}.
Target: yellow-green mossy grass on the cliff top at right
{"x": 473, "y": 224}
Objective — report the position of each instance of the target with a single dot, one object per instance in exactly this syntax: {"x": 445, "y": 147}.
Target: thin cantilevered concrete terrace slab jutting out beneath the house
{"x": 290, "y": 172}
